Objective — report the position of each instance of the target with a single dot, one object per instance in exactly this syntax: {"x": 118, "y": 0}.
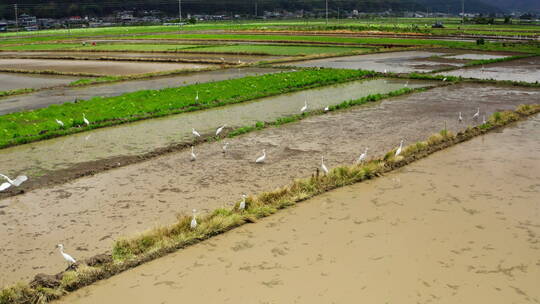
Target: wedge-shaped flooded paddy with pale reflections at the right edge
{"x": 525, "y": 69}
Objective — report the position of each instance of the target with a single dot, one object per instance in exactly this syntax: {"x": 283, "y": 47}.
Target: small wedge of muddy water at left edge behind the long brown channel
{"x": 13, "y": 81}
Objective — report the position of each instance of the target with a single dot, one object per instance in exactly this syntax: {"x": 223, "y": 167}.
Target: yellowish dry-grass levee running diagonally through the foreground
{"x": 131, "y": 252}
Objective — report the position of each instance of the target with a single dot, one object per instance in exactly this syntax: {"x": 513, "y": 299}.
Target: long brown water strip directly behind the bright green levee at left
{"x": 62, "y": 95}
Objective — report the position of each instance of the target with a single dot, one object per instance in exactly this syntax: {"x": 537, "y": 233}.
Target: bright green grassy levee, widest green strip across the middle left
{"x": 29, "y": 126}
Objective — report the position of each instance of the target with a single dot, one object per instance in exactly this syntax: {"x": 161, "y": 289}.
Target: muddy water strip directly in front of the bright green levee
{"x": 149, "y": 135}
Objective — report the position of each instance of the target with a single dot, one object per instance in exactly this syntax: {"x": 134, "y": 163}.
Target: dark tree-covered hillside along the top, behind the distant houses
{"x": 99, "y": 8}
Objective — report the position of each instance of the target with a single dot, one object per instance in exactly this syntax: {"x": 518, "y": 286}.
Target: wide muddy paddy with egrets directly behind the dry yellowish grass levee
{"x": 89, "y": 213}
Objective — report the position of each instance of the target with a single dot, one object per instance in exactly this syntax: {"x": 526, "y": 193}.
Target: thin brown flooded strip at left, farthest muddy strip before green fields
{"x": 130, "y": 55}
